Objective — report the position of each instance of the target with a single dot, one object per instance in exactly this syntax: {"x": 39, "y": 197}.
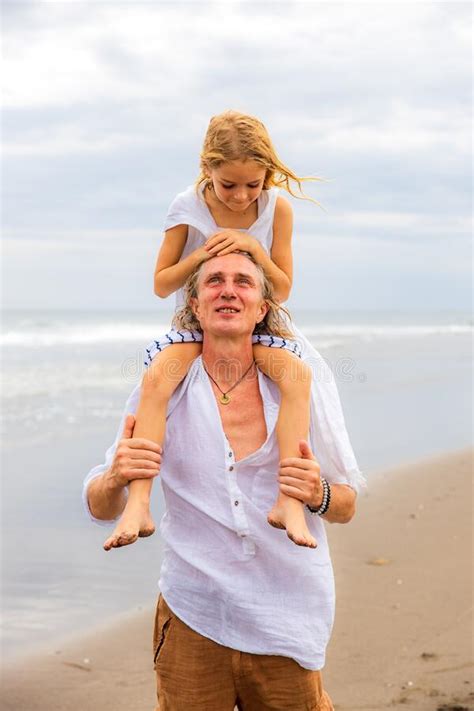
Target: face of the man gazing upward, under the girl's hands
{"x": 229, "y": 301}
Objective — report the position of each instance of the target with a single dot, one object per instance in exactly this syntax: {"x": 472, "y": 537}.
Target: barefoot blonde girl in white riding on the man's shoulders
{"x": 235, "y": 206}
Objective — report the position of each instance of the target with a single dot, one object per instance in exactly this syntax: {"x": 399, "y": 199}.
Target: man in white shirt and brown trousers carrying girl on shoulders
{"x": 244, "y": 615}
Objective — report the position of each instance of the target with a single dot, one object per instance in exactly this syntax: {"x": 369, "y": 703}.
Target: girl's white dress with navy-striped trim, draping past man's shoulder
{"x": 328, "y": 435}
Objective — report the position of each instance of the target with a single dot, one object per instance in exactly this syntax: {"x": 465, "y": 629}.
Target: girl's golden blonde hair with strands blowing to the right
{"x": 236, "y": 136}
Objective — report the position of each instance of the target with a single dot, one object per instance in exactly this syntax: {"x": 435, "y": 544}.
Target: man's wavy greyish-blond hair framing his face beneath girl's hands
{"x": 275, "y": 323}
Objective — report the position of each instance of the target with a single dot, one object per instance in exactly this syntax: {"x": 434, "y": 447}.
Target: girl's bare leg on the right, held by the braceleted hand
{"x": 293, "y": 378}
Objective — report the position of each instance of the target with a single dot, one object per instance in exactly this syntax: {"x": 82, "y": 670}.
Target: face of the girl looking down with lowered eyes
{"x": 237, "y": 184}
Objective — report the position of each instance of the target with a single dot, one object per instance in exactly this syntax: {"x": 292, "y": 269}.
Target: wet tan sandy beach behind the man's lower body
{"x": 403, "y": 631}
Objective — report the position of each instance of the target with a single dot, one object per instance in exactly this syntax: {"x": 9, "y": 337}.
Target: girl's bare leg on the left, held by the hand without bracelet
{"x": 163, "y": 376}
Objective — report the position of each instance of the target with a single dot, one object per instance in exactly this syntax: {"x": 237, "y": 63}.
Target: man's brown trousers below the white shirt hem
{"x": 193, "y": 673}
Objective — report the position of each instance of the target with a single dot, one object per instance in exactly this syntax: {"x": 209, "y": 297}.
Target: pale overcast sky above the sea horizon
{"x": 105, "y": 109}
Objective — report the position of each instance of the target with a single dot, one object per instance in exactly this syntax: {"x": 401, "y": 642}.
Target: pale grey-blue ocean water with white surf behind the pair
{"x": 405, "y": 383}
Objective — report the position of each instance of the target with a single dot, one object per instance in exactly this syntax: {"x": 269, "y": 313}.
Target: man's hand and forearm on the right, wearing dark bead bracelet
{"x": 301, "y": 478}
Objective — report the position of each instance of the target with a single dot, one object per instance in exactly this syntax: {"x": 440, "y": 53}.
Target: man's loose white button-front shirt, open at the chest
{"x": 226, "y": 572}
